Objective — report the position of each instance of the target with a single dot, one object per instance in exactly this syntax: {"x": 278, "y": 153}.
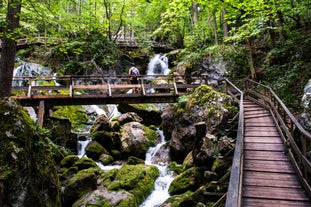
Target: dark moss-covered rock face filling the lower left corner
{"x": 28, "y": 174}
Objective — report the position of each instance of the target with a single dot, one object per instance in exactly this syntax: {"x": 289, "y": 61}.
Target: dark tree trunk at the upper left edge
{"x": 8, "y": 50}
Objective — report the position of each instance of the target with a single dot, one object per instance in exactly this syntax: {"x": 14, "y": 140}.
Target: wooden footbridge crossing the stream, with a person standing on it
{"x": 47, "y": 92}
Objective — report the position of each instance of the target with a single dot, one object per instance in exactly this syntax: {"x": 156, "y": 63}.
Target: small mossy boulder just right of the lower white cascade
{"x": 189, "y": 180}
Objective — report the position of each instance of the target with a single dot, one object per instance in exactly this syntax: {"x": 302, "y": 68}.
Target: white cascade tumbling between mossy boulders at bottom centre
{"x": 162, "y": 183}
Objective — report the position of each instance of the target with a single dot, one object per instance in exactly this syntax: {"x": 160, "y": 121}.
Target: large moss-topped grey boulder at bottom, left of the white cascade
{"x": 125, "y": 187}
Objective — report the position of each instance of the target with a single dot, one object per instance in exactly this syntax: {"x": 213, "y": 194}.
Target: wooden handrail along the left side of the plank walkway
{"x": 235, "y": 186}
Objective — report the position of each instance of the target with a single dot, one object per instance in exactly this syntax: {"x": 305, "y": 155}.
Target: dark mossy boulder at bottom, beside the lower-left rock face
{"x": 81, "y": 183}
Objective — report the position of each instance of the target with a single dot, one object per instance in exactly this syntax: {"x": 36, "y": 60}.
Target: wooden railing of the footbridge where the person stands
{"x": 78, "y": 86}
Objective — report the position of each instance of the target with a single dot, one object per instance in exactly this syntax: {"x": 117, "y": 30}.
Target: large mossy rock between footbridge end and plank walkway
{"x": 203, "y": 105}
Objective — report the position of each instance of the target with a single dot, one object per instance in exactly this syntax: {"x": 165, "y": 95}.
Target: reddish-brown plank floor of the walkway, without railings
{"x": 269, "y": 179}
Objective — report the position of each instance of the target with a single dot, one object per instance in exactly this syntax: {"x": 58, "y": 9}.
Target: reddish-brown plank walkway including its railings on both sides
{"x": 270, "y": 164}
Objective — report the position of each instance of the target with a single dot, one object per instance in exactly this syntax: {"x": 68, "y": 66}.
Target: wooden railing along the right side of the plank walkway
{"x": 296, "y": 138}
